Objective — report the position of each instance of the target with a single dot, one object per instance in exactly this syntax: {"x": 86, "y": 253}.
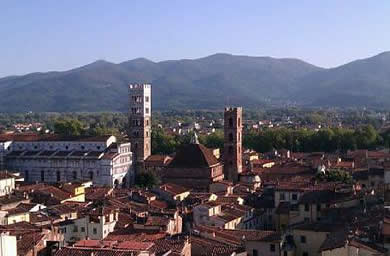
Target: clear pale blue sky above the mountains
{"x": 58, "y": 35}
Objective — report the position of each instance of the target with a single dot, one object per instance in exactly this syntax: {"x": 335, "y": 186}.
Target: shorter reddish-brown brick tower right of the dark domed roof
{"x": 232, "y": 153}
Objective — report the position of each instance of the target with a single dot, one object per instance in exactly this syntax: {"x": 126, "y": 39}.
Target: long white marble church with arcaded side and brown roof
{"x": 52, "y": 158}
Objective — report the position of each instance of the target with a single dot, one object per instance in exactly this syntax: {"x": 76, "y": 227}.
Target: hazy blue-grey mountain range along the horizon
{"x": 205, "y": 83}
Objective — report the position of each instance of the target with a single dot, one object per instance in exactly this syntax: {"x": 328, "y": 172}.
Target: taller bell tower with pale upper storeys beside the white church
{"x": 140, "y": 122}
